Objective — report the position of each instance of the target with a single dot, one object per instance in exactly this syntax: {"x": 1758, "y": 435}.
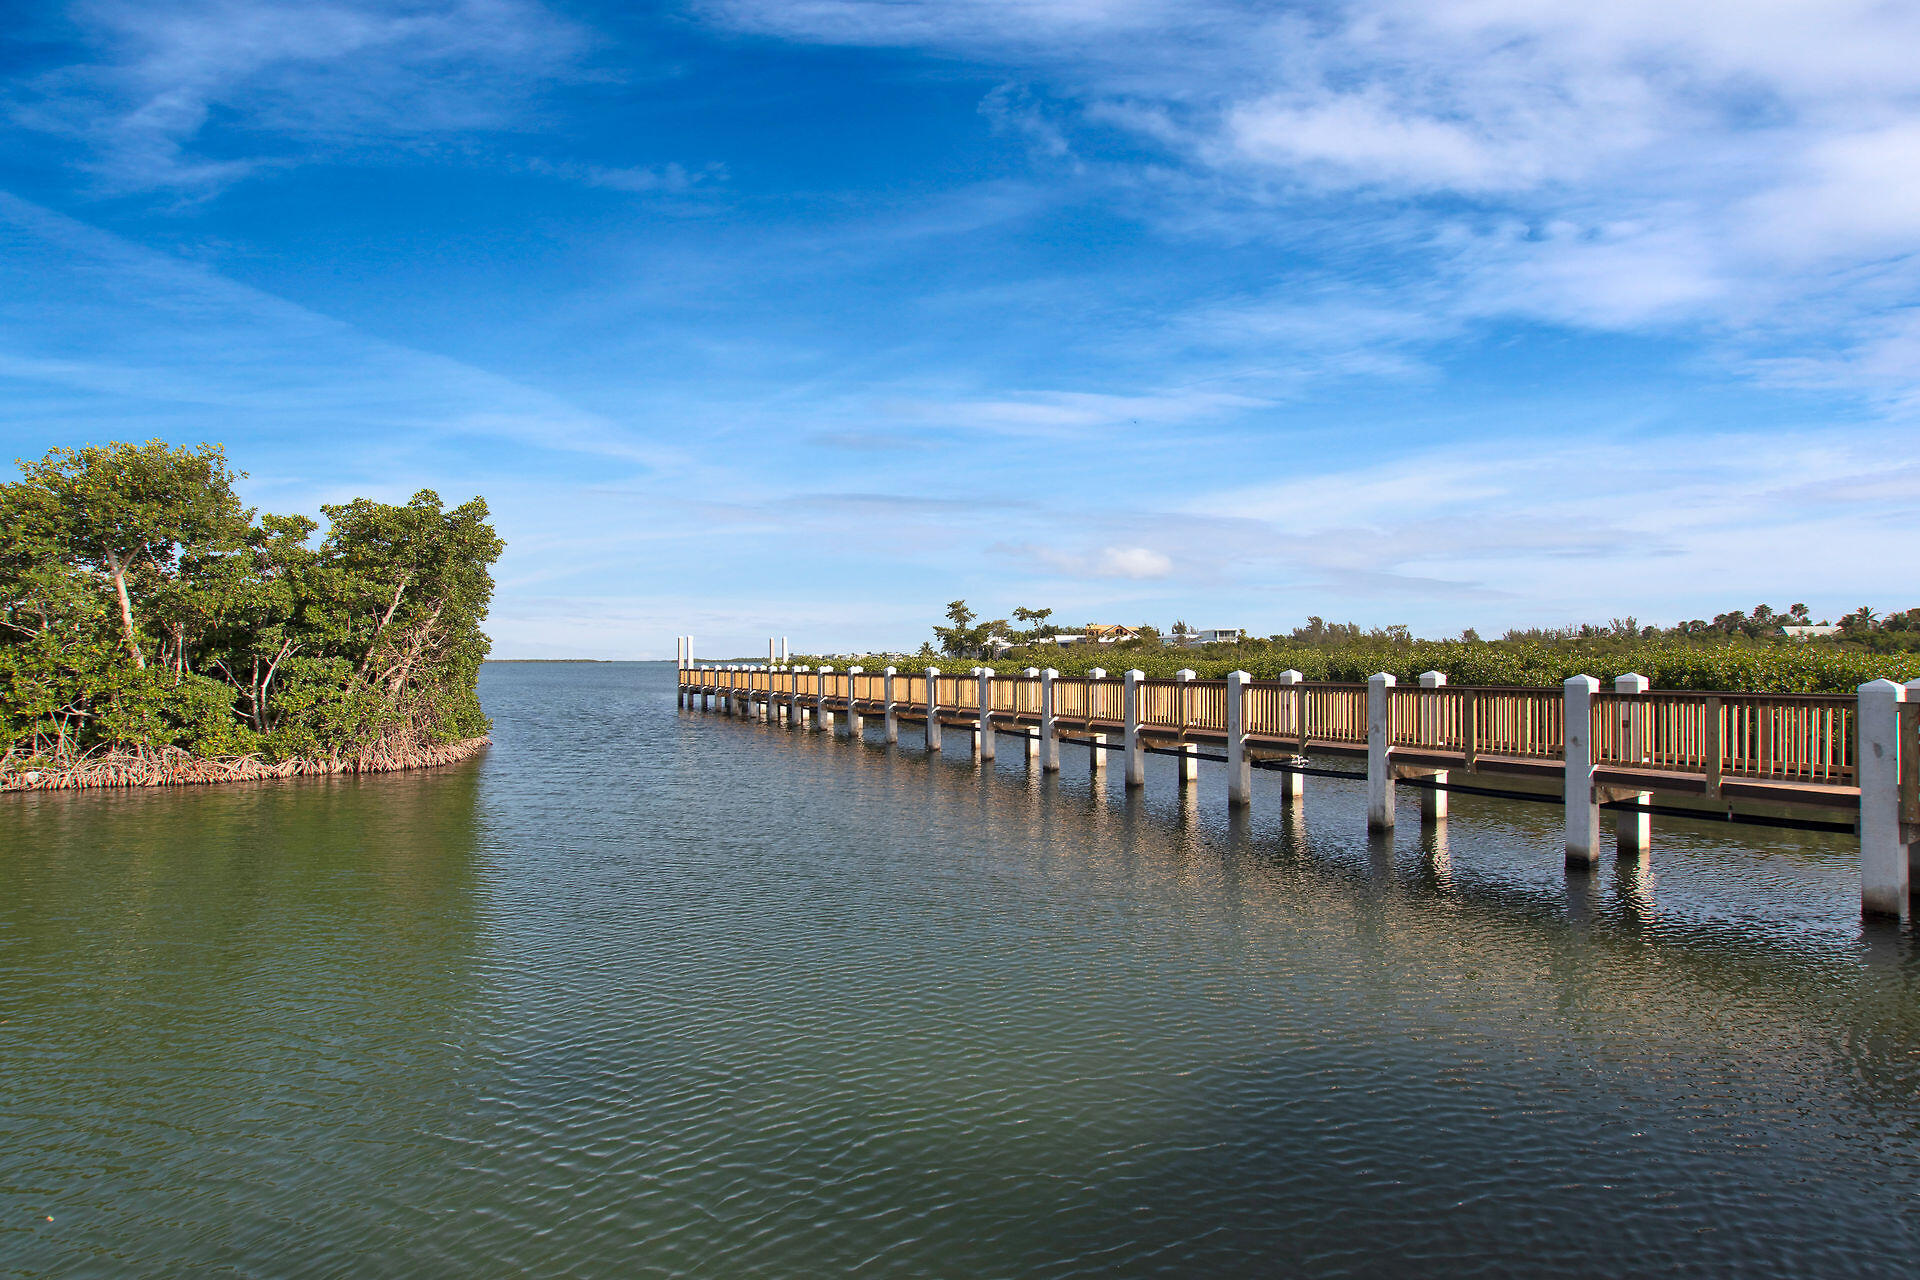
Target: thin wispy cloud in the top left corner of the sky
{"x": 189, "y": 95}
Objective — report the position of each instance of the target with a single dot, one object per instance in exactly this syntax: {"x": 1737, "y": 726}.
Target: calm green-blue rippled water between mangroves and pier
{"x": 660, "y": 993}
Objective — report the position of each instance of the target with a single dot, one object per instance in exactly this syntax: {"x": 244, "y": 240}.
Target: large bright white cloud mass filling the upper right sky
{"x": 1744, "y": 168}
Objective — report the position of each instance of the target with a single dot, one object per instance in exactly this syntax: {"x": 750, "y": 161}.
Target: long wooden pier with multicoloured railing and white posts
{"x": 1827, "y": 763}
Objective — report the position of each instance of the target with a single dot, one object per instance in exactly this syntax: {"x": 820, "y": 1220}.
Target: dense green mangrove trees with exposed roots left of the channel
{"x": 143, "y": 607}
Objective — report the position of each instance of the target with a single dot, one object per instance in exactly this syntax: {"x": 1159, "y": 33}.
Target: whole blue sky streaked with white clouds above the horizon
{"x": 805, "y": 318}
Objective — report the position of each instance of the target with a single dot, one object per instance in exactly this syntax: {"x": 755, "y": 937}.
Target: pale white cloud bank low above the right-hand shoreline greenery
{"x": 1556, "y": 525}
